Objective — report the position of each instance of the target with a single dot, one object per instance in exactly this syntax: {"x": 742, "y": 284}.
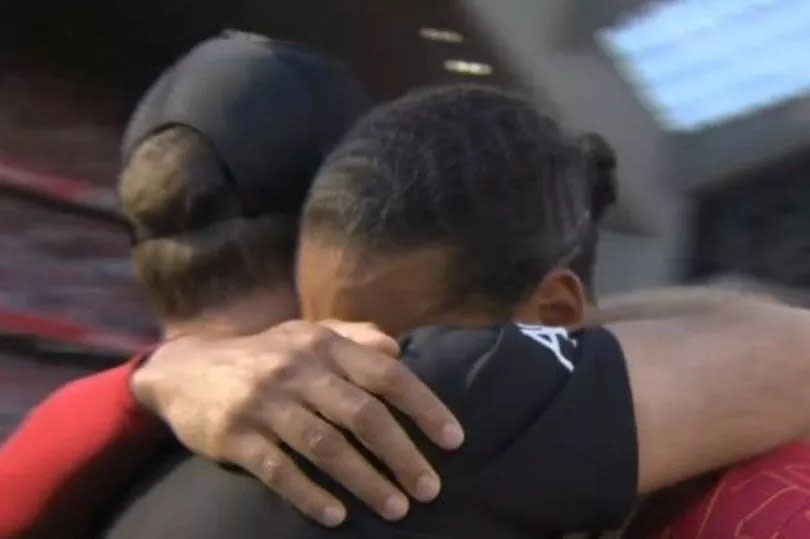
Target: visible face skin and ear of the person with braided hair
{"x": 350, "y": 284}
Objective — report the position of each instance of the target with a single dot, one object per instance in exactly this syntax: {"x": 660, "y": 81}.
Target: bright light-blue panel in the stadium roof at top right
{"x": 699, "y": 62}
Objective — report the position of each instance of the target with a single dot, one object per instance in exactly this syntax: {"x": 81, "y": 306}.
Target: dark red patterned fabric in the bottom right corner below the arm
{"x": 766, "y": 498}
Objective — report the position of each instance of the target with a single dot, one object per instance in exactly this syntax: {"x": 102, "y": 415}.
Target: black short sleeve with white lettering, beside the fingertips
{"x": 551, "y": 435}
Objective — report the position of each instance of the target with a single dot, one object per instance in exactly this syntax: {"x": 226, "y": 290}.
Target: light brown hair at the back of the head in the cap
{"x": 196, "y": 251}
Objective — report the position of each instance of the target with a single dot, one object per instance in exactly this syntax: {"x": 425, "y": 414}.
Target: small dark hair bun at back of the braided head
{"x": 600, "y": 161}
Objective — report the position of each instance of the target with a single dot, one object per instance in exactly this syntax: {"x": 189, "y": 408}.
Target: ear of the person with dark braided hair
{"x": 558, "y": 300}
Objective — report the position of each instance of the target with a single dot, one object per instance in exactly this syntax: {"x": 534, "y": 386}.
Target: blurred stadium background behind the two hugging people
{"x": 705, "y": 101}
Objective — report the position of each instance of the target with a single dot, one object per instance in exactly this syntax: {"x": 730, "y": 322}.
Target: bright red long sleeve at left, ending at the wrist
{"x": 72, "y": 453}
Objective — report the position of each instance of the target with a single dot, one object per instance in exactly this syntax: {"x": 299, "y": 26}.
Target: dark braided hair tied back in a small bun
{"x": 475, "y": 169}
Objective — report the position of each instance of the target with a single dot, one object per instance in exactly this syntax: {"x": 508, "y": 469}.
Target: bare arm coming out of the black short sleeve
{"x": 716, "y": 386}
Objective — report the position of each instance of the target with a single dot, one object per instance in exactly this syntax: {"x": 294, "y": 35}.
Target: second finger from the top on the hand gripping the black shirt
{"x": 373, "y": 424}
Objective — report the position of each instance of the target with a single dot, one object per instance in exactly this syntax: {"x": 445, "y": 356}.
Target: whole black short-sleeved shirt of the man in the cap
{"x": 548, "y": 449}
